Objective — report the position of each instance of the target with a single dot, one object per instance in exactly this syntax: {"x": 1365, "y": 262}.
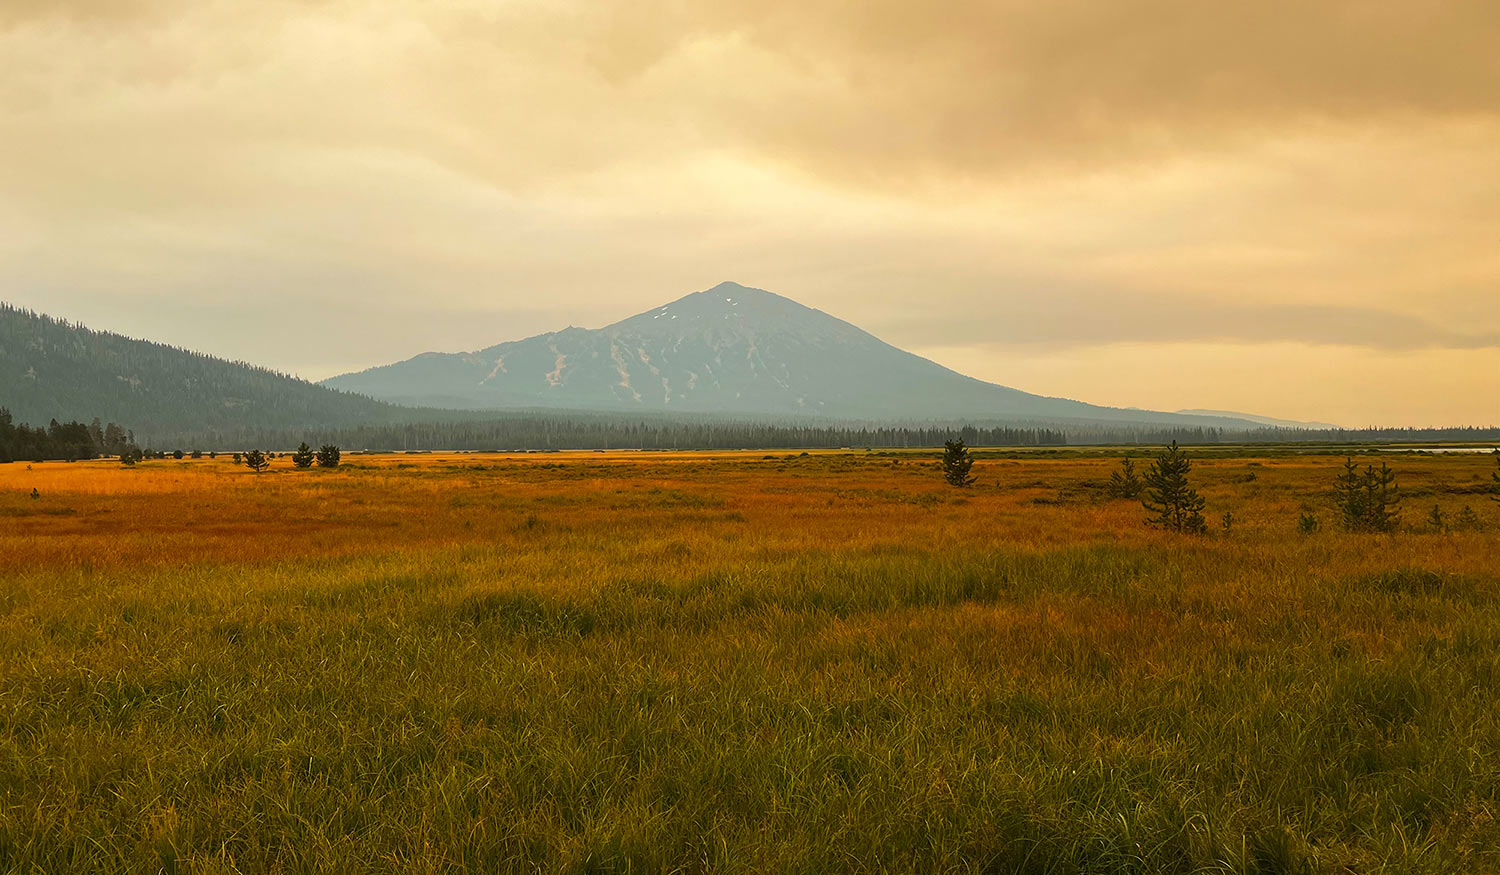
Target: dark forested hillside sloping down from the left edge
{"x": 55, "y": 370}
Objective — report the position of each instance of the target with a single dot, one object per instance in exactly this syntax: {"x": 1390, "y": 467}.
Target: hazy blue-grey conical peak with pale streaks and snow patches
{"x": 730, "y": 350}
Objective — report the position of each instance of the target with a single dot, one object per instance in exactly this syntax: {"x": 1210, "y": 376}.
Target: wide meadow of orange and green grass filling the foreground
{"x": 742, "y": 663}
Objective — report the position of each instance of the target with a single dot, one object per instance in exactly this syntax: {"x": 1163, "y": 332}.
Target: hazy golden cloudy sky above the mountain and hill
{"x": 1285, "y": 208}
